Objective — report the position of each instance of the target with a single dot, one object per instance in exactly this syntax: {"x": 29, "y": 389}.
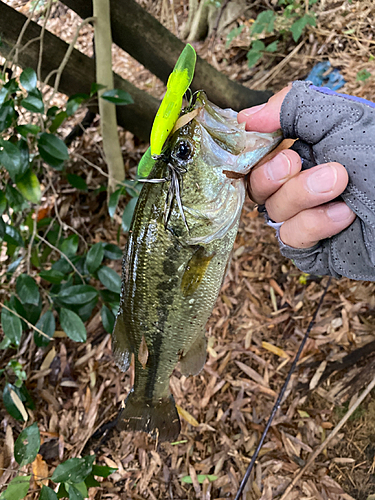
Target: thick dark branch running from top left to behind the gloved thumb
{"x": 145, "y": 39}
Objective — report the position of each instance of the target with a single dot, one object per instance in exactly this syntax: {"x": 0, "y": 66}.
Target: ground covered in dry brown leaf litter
{"x": 262, "y": 313}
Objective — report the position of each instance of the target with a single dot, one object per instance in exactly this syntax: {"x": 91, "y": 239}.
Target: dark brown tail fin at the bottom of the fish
{"x": 158, "y": 418}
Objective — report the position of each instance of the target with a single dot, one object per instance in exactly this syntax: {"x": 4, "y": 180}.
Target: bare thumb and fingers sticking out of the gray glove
{"x": 302, "y": 200}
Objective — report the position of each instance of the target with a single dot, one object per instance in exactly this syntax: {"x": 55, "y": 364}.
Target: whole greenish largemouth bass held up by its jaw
{"x": 180, "y": 240}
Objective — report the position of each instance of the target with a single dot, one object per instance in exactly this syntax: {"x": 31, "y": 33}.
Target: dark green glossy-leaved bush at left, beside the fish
{"x": 51, "y": 280}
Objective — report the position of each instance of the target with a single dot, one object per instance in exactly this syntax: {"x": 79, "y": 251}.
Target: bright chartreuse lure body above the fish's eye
{"x": 170, "y": 107}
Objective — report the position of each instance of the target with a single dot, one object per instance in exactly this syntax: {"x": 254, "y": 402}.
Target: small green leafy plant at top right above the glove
{"x": 289, "y": 19}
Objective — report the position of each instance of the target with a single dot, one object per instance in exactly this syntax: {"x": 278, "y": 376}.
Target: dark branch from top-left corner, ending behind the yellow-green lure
{"x": 79, "y": 72}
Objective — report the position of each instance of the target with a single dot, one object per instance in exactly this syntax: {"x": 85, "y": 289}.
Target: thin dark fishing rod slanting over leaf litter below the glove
{"x": 281, "y": 395}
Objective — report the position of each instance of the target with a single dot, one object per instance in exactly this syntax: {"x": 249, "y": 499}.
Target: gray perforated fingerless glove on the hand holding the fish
{"x": 341, "y": 128}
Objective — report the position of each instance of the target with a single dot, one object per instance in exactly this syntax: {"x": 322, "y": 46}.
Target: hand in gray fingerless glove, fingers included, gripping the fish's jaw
{"x": 334, "y": 131}
